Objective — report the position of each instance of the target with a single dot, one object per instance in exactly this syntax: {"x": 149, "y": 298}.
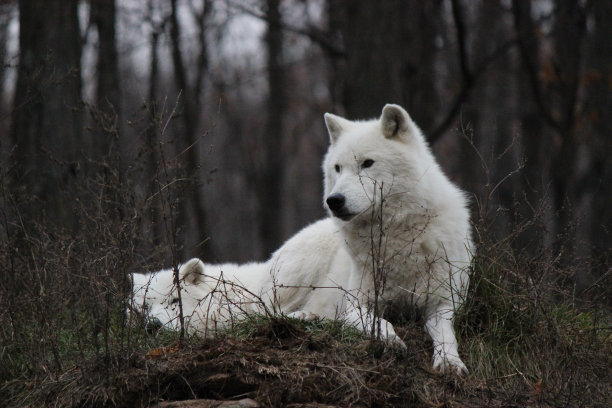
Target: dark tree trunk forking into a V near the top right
{"x": 556, "y": 98}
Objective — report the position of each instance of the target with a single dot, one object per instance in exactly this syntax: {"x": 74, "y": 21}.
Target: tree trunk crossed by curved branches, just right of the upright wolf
{"x": 488, "y": 130}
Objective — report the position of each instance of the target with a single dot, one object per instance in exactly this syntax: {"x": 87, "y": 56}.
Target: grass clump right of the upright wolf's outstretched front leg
{"x": 516, "y": 333}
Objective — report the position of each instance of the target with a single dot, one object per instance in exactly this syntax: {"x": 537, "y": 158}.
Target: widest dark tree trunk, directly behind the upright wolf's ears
{"x": 390, "y": 55}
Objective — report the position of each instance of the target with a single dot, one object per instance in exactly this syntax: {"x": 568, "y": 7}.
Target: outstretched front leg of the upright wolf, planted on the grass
{"x": 439, "y": 325}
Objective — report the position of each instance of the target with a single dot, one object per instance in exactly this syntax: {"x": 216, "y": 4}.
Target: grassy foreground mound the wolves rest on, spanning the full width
{"x": 281, "y": 361}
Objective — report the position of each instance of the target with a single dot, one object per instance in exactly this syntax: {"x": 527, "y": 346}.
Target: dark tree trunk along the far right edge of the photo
{"x": 594, "y": 186}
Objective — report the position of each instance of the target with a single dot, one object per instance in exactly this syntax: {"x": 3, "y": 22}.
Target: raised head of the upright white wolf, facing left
{"x": 371, "y": 161}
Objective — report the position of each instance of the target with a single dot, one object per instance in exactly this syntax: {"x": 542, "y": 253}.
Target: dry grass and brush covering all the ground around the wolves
{"x": 65, "y": 342}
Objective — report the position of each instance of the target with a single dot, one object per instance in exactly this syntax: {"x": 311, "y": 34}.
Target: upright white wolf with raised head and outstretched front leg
{"x": 406, "y": 226}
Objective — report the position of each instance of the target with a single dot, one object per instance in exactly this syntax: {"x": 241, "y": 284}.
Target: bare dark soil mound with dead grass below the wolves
{"x": 283, "y": 365}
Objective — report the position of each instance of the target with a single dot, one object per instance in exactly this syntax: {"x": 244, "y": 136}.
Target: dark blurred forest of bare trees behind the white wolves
{"x": 209, "y": 115}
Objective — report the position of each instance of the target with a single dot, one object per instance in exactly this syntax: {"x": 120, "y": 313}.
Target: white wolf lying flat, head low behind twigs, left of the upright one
{"x": 305, "y": 278}
